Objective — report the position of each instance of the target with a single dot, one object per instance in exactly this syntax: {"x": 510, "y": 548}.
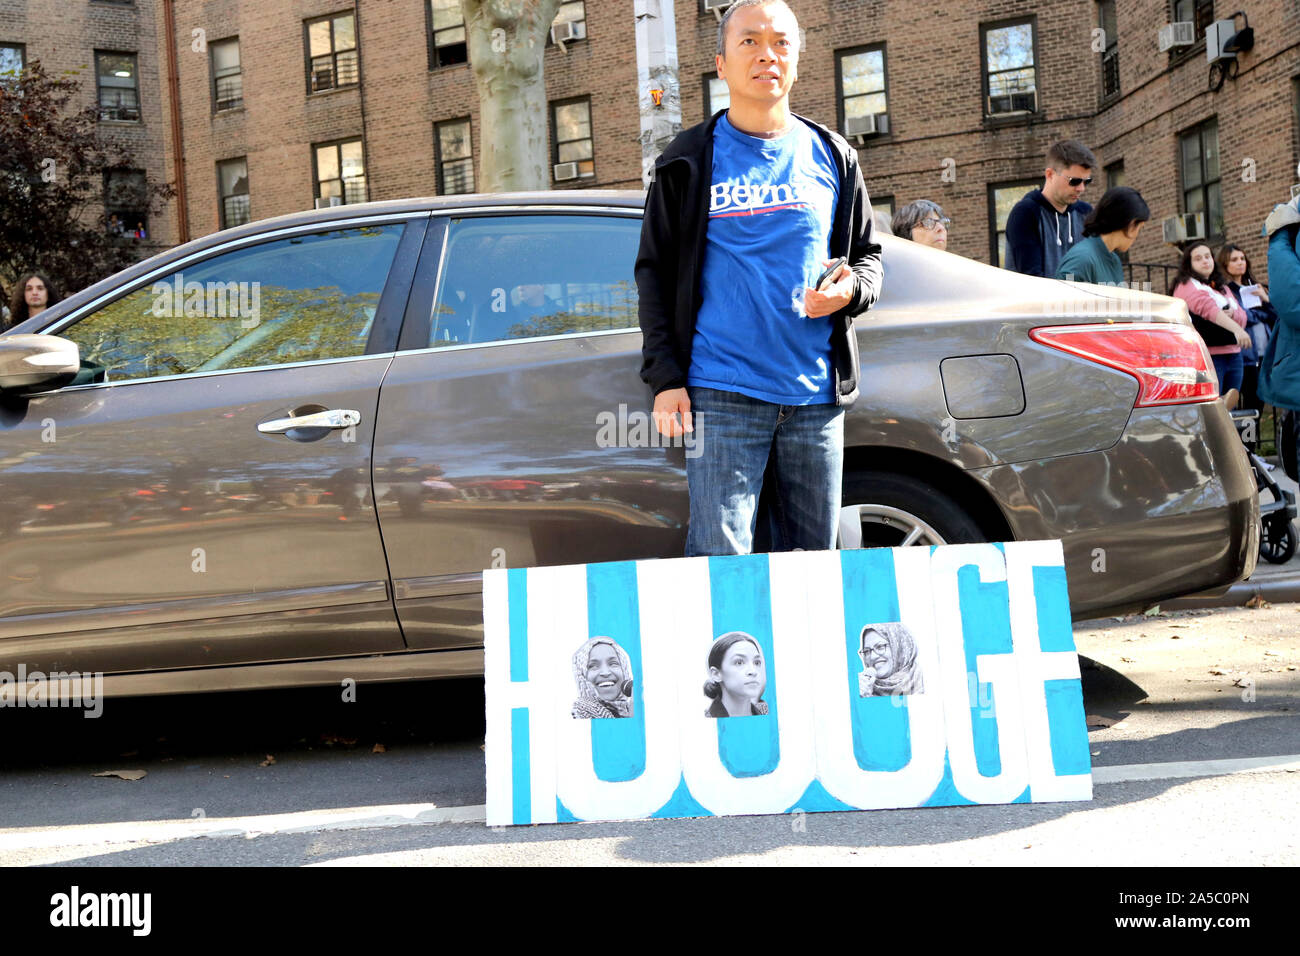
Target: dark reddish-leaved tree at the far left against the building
{"x": 53, "y": 179}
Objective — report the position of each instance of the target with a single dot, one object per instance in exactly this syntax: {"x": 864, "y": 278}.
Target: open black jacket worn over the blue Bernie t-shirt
{"x": 673, "y": 252}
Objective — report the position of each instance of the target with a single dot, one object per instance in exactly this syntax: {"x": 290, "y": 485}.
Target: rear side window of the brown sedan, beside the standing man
{"x": 512, "y": 278}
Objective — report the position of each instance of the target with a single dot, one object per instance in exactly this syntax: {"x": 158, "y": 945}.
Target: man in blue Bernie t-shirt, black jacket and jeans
{"x": 744, "y": 214}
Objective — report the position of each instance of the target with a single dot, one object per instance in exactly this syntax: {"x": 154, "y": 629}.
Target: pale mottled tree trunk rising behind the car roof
{"x": 508, "y": 42}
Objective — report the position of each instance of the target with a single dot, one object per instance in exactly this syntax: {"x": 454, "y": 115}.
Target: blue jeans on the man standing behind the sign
{"x": 799, "y": 447}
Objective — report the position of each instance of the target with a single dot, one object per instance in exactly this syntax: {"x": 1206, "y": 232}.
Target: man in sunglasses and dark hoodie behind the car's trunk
{"x": 1048, "y": 220}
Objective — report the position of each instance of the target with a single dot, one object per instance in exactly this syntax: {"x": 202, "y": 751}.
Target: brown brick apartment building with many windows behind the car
{"x": 289, "y": 103}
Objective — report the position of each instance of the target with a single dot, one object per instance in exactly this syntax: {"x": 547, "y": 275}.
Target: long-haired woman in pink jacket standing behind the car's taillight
{"x": 1216, "y": 314}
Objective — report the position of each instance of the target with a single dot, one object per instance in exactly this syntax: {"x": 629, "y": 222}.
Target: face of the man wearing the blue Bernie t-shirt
{"x": 762, "y": 54}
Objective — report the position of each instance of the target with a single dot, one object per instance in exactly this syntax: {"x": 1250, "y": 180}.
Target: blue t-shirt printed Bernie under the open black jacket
{"x": 770, "y": 213}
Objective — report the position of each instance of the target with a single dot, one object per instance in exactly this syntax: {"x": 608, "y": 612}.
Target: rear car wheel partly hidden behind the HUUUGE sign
{"x": 887, "y": 511}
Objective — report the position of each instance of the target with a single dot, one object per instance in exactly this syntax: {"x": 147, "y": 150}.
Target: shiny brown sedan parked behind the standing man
{"x": 293, "y": 447}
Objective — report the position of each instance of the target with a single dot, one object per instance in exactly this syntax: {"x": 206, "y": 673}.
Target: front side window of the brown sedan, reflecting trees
{"x": 300, "y": 300}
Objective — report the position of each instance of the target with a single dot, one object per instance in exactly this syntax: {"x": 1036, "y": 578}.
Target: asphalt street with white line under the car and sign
{"x": 297, "y": 778}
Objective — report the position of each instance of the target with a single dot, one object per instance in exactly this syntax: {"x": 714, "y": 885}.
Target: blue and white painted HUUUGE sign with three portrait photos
{"x": 770, "y": 684}
